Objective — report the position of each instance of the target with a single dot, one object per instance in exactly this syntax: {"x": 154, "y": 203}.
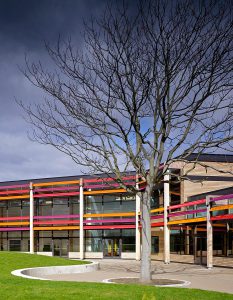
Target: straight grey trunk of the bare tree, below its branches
{"x": 145, "y": 275}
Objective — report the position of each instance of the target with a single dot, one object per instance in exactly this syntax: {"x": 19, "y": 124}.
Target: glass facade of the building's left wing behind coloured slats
{"x": 60, "y": 242}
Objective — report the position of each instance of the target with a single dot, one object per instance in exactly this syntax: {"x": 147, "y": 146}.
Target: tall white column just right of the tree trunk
{"x": 166, "y": 201}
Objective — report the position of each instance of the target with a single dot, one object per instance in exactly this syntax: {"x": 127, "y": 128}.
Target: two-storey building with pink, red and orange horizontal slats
{"x": 93, "y": 217}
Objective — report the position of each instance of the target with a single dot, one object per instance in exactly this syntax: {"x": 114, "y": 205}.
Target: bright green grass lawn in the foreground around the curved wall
{"x": 13, "y": 287}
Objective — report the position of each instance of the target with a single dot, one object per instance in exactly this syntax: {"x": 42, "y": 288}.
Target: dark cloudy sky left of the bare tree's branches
{"x": 24, "y": 26}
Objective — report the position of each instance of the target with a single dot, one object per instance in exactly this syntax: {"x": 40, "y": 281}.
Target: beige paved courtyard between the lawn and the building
{"x": 217, "y": 279}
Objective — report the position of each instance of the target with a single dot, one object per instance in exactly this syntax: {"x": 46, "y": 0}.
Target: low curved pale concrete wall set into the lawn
{"x": 35, "y": 273}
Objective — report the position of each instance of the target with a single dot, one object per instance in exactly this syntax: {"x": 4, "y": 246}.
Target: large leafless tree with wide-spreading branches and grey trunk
{"x": 150, "y": 86}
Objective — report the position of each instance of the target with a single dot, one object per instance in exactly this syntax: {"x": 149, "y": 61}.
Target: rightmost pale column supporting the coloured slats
{"x": 209, "y": 228}
